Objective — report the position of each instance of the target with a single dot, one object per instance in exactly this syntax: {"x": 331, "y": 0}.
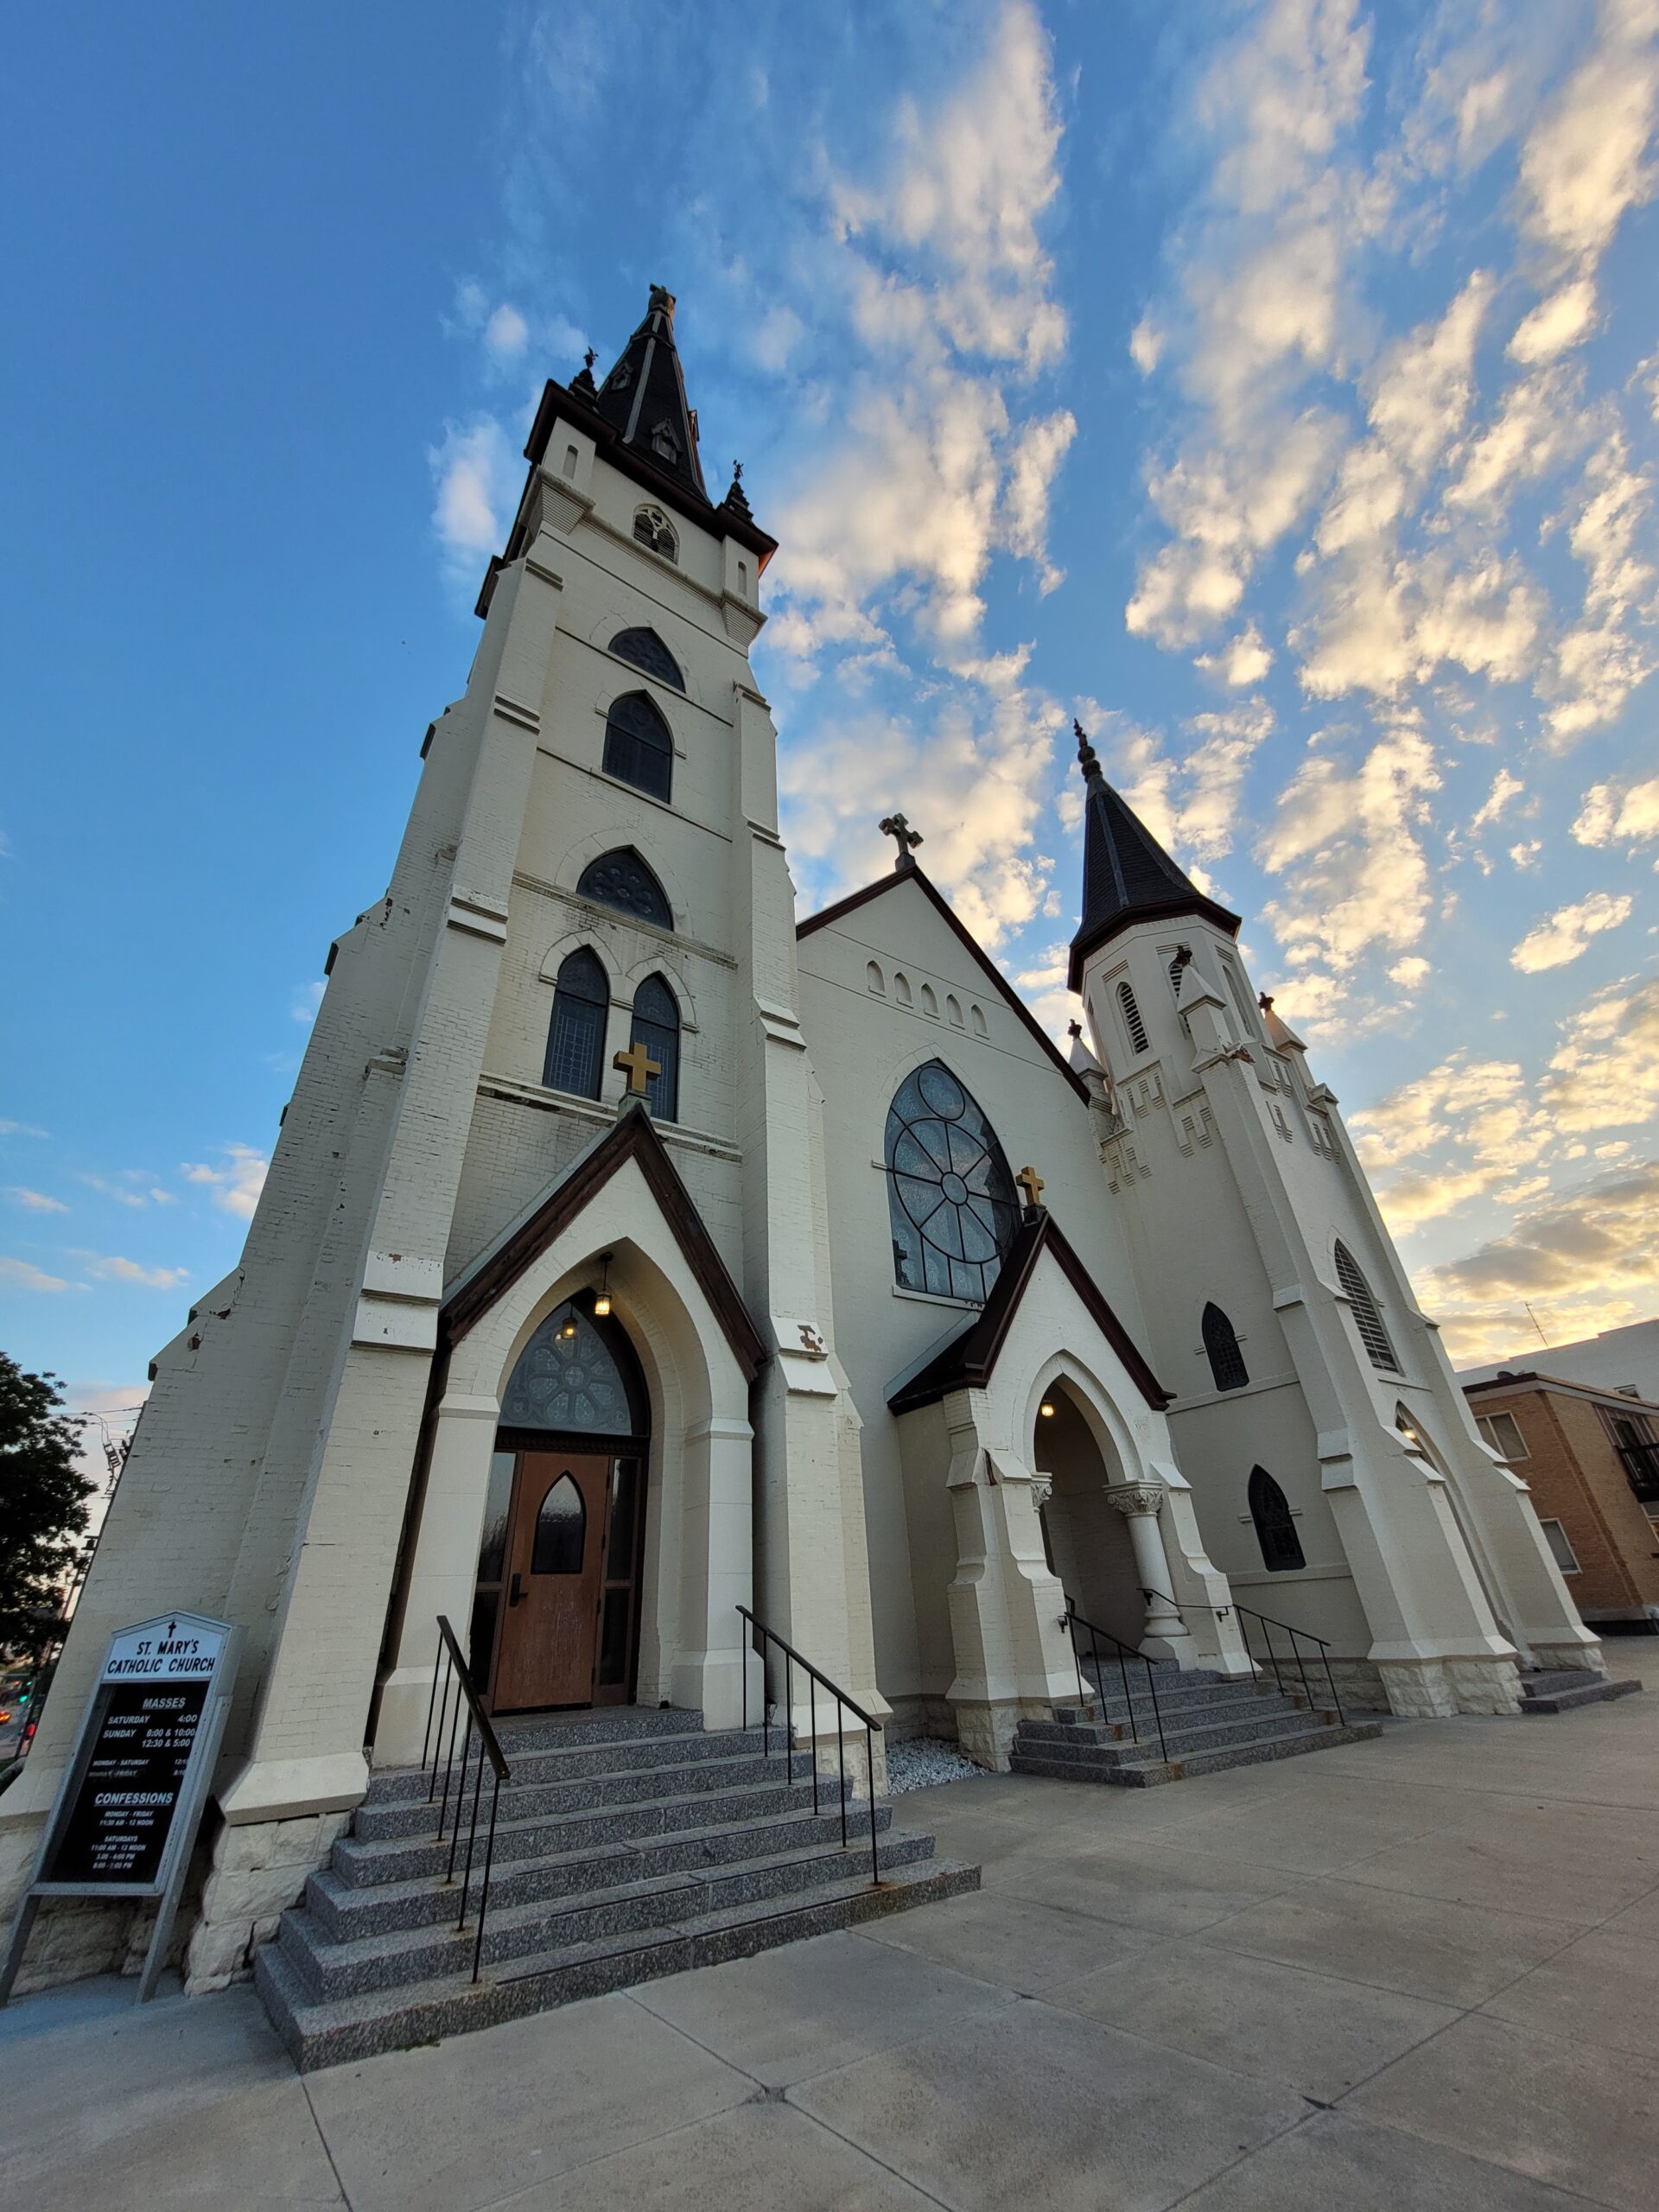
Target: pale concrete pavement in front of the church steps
{"x": 1419, "y": 1972}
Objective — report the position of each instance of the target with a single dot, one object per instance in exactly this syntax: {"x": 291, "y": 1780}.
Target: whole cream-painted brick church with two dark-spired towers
{"x": 636, "y": 1249}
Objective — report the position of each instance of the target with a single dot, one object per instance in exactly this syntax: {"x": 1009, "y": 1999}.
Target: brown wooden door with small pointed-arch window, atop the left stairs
{"x": 554, "y": 1580}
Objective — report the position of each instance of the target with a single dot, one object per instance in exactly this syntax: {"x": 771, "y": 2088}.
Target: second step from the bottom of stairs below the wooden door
{"x": 393, "y": 1961}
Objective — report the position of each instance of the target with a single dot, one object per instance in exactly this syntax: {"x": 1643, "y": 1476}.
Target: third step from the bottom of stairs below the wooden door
{"x": 351, "y": 1912}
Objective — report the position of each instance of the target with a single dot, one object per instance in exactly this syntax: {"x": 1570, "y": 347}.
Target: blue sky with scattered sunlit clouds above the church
{"x": 1271, "y": 384}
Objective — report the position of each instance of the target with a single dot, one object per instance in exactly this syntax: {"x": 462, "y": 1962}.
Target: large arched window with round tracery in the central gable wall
{"x": 950, "y": 1196}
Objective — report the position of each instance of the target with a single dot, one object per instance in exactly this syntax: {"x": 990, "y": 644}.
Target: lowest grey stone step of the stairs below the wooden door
{"x": 326, "y": 2034}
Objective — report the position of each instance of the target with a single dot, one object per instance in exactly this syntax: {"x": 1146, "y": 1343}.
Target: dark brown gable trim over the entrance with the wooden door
{"x": 634, "y": 1138}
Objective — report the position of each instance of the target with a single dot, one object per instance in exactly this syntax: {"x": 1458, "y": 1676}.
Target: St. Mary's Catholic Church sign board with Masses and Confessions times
{"x": 132, "y": 1797}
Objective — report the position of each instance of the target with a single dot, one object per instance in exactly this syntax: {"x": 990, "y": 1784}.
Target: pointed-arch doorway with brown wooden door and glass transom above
{"x": 556, "y": 1605}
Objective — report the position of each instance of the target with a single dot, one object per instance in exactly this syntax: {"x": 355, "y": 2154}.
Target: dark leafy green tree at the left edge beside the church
{"x": 43, "y": 1501}
